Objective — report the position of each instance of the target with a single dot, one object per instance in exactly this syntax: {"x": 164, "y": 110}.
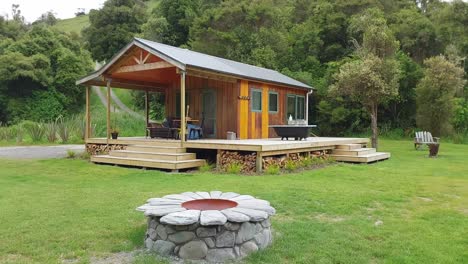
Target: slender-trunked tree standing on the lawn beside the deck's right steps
{"x": 372, "y": 78}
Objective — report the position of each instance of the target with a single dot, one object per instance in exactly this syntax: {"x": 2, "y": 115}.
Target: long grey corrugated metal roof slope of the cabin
{"x": 220, "y": 65}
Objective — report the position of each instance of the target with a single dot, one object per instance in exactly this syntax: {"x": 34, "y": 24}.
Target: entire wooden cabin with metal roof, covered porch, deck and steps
{"x": 222, "y": 96}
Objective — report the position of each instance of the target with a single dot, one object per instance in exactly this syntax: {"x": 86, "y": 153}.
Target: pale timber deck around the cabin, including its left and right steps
{"x": 176, "y": 155}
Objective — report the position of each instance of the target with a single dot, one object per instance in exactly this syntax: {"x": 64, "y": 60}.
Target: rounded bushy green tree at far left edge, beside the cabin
{"x": 41, "y": 67}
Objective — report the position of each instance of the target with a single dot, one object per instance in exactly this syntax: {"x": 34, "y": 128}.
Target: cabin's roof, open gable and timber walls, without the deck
{"x": 226, "y": 95}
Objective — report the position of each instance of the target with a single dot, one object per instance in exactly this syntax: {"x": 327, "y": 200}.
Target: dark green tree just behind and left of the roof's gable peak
{"x": 113, "y": 26}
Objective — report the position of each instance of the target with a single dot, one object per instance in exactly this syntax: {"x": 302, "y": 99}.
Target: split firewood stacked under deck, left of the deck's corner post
{"x": 246, "y": 159}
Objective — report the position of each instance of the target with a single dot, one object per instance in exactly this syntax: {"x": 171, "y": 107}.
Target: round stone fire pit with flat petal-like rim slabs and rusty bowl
{"x": 211, "y": 226}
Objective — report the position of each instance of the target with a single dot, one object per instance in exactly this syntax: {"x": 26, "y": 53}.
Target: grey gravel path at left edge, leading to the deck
{"x": 39, "y": 152}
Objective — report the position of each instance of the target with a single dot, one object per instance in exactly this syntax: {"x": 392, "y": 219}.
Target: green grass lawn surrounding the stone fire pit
{"x": 55, "y": 210}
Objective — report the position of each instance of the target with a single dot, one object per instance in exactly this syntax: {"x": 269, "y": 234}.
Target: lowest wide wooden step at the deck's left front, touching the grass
{"x": 149, "y": 163}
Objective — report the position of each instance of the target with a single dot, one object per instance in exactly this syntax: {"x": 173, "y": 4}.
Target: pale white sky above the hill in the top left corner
{"x": 33, "y": 9}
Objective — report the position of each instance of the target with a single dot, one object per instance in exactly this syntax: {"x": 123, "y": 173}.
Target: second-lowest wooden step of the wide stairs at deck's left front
{"x": 152, "y": 155}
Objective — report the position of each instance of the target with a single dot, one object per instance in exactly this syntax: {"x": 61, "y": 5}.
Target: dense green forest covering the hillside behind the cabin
{"x": 401, "y": 60}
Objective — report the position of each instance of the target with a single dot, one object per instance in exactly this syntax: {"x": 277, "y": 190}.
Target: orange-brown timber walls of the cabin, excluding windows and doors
{"x": 233, "y": 106}
